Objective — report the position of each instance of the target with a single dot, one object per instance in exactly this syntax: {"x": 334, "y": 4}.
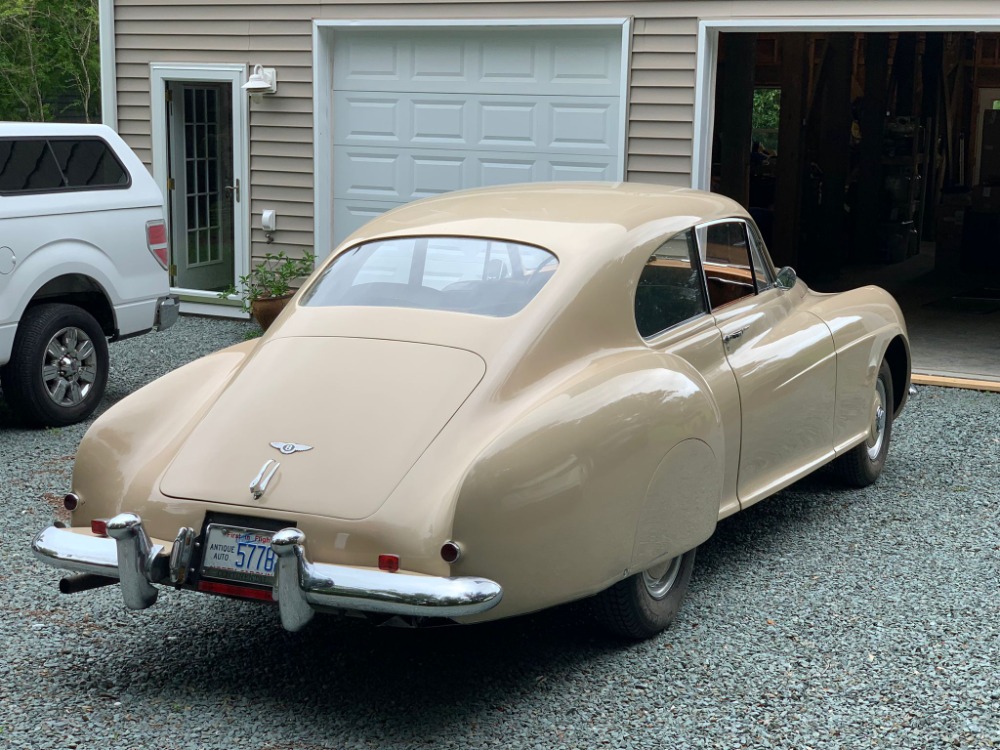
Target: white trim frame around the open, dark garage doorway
{"x": 708, "y": 54}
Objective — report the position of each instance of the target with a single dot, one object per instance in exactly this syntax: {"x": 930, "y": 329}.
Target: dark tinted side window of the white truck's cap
{"x": 41, "y": 165}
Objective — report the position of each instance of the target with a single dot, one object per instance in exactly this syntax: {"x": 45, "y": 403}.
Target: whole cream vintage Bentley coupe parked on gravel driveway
{"x": 488, "y": 403}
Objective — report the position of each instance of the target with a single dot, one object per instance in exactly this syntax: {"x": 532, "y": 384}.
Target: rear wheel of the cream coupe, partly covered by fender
{"x": 644, "y": 604}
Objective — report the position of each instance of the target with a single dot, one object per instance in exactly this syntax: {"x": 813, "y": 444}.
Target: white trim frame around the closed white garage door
{"x": 322, "y": 37}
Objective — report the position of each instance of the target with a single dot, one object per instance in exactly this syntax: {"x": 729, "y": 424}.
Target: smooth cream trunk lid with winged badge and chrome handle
{"x": 360, "y": 411}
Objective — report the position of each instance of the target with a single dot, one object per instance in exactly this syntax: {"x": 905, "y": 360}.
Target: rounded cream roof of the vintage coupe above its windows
{"x": 568, "y": 218}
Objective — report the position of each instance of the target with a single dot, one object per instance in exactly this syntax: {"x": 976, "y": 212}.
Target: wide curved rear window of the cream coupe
{"x": 462, "y": 274}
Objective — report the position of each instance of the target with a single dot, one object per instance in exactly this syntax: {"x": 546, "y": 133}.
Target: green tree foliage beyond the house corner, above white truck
{"x": 49, "y": 60}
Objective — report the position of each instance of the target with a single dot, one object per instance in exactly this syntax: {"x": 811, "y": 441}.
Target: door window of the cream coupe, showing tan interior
{"x": 729, "y": 273}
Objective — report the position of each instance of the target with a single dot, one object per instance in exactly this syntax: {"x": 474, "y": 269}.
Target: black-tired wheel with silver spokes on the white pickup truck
{"x": 58, "y": 368}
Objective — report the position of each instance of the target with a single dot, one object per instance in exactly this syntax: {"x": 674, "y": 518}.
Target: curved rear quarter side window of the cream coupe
{"x": 669, "y": 289}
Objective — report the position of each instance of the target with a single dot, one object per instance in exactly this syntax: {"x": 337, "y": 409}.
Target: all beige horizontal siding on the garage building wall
{"x": 660, "y": 127}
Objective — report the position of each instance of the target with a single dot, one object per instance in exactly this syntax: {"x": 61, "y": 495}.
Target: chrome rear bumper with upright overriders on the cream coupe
{"x": 301, "y": 587}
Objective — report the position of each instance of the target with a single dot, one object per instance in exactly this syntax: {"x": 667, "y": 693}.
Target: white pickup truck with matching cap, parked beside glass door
{"x": 83, "y": 260}
